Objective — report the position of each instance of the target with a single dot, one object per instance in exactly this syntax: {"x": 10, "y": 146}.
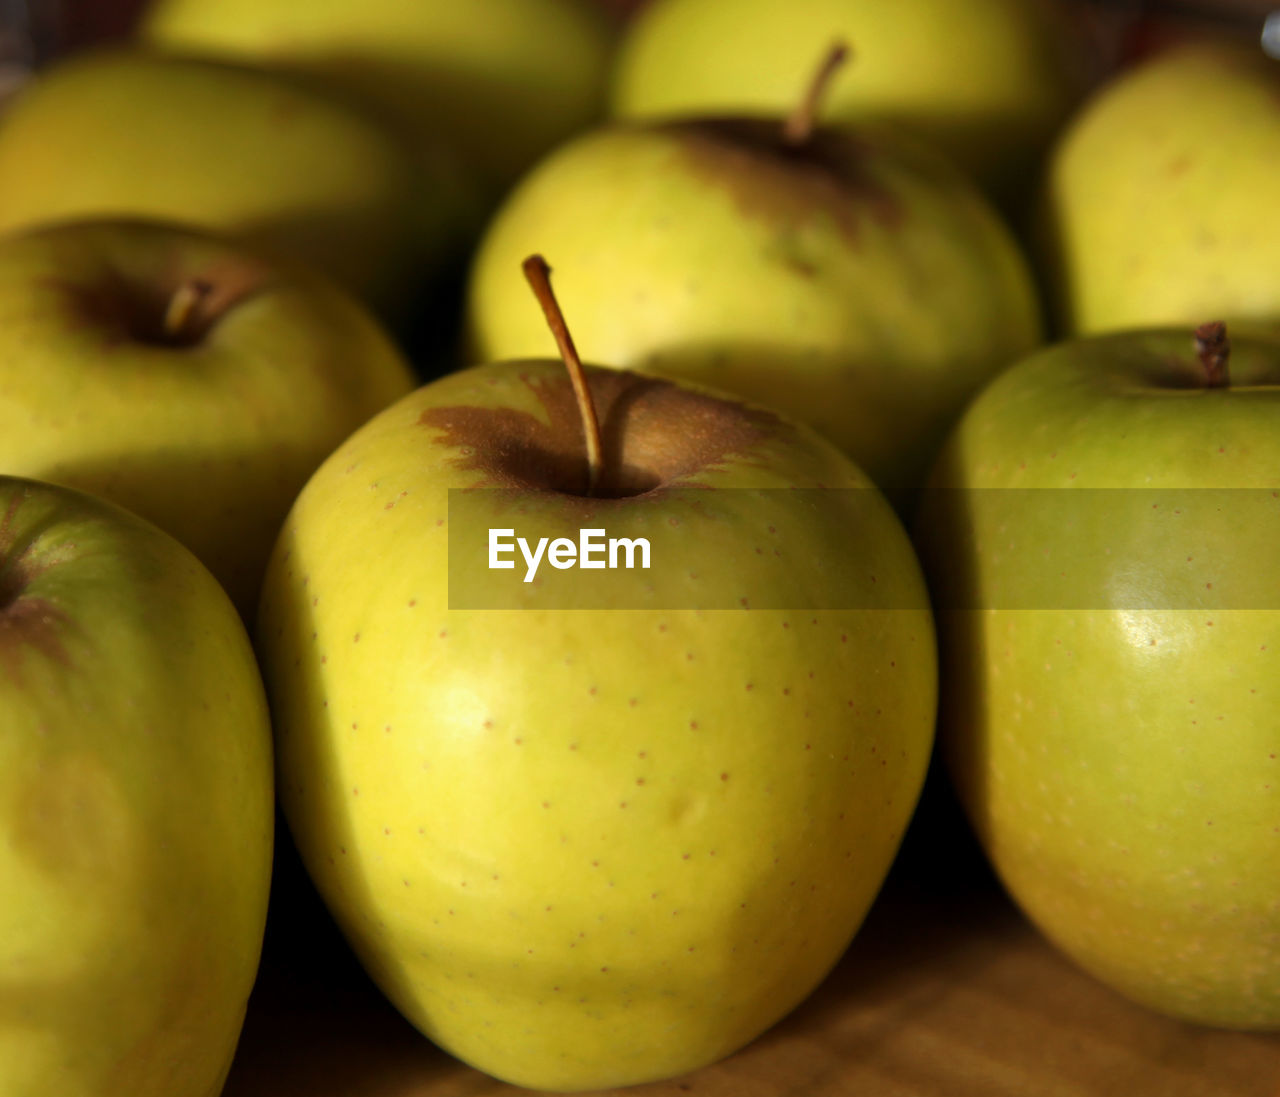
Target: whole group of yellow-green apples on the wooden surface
{"x": 940, "y": 367}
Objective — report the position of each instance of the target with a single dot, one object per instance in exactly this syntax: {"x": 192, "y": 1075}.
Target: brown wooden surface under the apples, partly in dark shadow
{"x": 945, "y": 993}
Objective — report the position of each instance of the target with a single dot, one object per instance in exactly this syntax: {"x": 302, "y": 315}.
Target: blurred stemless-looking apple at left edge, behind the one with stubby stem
{"x": 303, "y": 175}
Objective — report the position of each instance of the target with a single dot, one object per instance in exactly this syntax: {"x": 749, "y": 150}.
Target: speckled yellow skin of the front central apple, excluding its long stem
{"x": 591, "y": 848}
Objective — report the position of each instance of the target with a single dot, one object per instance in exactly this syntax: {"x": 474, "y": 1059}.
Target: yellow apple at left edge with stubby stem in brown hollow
{"x": 184, "y": 378}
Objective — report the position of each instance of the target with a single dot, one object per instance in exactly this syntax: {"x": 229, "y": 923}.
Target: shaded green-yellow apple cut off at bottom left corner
{"x": 136, "y": 807}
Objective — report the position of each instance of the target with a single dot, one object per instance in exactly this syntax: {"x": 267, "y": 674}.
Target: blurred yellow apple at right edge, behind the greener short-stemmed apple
{"x": 1159, "y": 207}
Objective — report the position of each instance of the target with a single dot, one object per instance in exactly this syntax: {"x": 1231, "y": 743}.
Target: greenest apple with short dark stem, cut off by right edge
{"x": 1100, "y": 537}
